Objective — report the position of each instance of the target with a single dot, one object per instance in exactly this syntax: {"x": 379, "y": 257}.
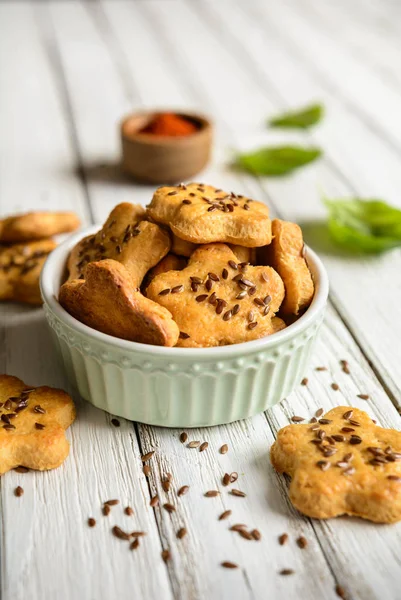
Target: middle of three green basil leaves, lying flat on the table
{"x": 277, "y": 160}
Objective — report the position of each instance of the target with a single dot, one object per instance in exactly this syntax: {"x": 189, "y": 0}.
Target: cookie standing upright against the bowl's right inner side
{"x": 286, "y": 255}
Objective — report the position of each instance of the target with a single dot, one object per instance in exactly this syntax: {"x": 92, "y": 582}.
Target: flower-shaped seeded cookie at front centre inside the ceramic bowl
{"x": 216, "y": 301}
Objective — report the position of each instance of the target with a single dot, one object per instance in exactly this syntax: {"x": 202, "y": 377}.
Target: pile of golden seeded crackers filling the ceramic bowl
{"x": 199, "y": 267}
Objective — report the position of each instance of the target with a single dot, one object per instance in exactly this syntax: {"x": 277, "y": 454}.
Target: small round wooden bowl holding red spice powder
{"x": 160, "y": 159}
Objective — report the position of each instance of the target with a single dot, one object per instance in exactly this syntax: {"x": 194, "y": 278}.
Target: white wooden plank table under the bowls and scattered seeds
{"x": 69, "y": 71}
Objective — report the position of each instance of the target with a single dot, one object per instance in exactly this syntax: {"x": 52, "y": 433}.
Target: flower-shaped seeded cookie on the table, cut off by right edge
{"x": 343, "y": 464}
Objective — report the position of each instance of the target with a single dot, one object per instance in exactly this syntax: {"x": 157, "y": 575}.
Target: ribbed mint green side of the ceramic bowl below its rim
{"x": 182, "y": 393}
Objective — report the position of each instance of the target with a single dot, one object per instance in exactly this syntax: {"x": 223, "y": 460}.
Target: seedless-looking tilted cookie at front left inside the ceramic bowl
{"x": 108, "y": 300}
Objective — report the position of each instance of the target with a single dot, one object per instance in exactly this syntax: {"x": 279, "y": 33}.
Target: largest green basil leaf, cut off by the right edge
{"x": 368, "y": 226}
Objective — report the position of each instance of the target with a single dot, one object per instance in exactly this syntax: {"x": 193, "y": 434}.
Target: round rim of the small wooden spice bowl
{"x": 145, "y": 138}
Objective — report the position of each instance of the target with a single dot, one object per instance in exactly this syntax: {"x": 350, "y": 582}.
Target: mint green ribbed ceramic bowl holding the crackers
{"x": 180, "y": 387}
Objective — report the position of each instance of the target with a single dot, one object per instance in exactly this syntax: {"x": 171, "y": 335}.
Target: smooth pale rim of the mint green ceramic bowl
{"x": 54, "y": 267}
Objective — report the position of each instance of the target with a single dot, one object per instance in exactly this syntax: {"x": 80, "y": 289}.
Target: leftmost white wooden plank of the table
{"x": 48, "y": 551}
